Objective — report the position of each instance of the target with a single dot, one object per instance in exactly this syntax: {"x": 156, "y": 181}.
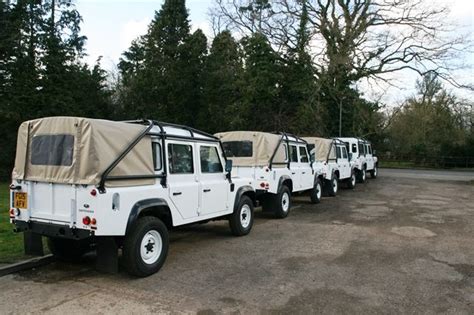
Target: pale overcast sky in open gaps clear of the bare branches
{"x": 111, "y": 25}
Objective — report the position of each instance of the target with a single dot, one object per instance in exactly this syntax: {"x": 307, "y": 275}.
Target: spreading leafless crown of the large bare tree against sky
{"x": 360, "y": 39}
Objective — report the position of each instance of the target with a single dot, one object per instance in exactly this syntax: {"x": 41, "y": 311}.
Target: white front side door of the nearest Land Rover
{"x": 214, "y": 187}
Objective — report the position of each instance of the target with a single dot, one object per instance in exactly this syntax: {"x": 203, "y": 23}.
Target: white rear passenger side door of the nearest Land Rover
{"x": 182, "y": 177}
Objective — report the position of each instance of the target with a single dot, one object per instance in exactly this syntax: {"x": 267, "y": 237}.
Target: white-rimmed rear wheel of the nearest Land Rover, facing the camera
{"x": 145, "y": 247}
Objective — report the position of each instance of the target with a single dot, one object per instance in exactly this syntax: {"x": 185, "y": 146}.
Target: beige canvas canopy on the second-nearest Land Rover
{"x": 263, "y": 147}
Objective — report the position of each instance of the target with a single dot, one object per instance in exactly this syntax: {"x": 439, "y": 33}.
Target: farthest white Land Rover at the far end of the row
{"x": 363, "y": 157}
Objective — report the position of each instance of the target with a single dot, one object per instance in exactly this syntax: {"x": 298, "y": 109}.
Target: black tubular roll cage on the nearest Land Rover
{"x": 163, "y": 135}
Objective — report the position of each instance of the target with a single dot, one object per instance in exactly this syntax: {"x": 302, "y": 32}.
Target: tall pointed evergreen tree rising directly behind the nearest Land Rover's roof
{"x": 165, "y": 86}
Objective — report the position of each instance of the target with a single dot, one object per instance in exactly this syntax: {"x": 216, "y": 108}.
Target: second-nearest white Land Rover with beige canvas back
{"x": 279, "y": 165}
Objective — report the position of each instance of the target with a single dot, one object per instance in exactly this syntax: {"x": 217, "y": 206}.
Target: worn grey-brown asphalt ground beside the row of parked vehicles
{"x": 394, "y": 245}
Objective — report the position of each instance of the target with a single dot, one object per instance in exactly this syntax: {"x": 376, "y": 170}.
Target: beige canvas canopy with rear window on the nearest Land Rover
{"x": 77, "y": 150}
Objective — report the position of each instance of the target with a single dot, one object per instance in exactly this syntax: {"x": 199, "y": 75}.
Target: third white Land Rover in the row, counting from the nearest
{"x": 331, "y": 157}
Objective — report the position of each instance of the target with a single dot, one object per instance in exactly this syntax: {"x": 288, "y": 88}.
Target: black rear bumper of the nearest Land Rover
{"x": 54, "y": 230}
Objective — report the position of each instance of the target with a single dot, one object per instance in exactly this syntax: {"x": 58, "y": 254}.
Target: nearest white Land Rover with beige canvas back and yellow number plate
{"x": 95, "y": 183}
